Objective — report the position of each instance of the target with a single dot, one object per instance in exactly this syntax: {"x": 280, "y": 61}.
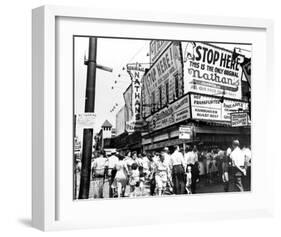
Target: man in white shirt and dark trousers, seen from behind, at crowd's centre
{"x": 178, "y": 171}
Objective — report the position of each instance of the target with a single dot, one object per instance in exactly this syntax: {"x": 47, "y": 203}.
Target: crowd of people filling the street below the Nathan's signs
{"x": 173, "y": 170}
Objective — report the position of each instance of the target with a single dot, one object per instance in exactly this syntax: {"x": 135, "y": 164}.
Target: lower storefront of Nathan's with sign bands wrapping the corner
{"x": 208, "y": 117}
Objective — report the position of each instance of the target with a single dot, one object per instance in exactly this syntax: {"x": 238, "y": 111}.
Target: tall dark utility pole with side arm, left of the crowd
{"x": 89, "y": 108}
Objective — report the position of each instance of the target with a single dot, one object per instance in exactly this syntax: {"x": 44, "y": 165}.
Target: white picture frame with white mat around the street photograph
{"x": 48, "y": 209}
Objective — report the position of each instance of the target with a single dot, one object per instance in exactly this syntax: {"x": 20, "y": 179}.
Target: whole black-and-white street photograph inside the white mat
{"x": 155, "y": 117}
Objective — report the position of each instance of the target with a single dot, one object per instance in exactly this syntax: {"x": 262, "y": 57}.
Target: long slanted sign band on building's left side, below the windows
{"x": 176, "y": 112}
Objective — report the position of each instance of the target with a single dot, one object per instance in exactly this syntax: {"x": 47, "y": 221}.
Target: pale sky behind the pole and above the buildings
{"x": 113, "y": 53}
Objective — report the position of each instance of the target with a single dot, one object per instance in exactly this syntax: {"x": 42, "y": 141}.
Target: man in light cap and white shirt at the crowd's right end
{"x": 238, "y": 161}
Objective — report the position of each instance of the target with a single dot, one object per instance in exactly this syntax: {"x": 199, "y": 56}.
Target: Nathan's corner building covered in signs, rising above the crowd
{"x": 201, "y": 87}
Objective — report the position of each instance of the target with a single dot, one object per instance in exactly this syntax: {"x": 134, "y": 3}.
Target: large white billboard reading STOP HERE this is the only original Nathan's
{"x": 211, "y": 70}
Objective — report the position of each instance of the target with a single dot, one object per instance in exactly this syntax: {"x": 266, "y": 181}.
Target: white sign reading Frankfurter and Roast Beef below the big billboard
{"x": 212, "y": 109}
